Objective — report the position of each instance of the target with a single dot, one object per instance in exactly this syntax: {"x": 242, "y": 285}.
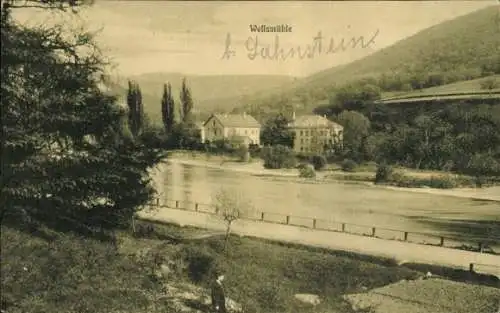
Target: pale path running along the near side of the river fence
{"x": 400, "y": 251}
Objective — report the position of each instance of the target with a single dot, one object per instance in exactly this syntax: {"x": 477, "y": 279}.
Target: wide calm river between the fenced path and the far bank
{"x": 332, "y": 202}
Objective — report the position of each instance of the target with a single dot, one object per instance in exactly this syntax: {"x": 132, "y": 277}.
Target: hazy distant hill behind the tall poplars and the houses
{"x": 210, "y": 92}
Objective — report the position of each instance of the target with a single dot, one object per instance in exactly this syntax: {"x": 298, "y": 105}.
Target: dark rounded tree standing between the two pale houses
{"x": 276, "y": 132}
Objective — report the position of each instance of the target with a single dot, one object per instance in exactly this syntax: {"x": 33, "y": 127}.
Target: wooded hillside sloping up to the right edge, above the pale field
{"x": 461, "y": 43}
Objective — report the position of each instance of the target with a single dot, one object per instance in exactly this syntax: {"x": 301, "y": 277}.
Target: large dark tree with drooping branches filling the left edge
{"x": 66, "y": 156}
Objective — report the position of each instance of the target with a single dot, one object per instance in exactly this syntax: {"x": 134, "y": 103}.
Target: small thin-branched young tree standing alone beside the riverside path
{"x": 230, "y": 206}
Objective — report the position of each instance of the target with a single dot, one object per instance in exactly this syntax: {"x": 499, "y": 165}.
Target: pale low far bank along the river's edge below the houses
{"x": 255, "y": 167}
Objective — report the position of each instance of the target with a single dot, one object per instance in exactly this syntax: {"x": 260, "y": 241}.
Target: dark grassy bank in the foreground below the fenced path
{"x": 69, "y": 274}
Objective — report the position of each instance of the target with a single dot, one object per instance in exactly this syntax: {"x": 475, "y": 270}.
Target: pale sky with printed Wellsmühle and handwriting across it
{"x": 190, "y": 37}
